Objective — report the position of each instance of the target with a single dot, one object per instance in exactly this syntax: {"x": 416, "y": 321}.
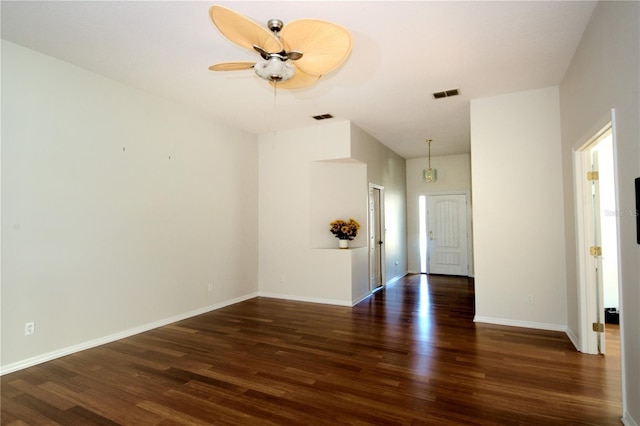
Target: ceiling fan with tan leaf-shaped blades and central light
{"x": 293, "y": 56}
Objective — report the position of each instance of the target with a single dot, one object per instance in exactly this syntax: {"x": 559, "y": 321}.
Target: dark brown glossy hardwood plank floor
{"x": 410, "y": 354}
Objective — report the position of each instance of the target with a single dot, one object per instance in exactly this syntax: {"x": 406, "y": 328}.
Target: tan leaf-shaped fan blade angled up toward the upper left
{"x": 243, "y": 31}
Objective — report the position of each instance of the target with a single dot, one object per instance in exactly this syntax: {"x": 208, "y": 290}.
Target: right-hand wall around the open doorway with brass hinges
{"x": 603, "y": 74}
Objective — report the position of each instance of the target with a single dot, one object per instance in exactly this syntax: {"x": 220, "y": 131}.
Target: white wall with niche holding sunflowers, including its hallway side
{"x": 309, "y": 177}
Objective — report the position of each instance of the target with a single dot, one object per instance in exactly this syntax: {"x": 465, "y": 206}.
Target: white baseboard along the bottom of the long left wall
{"x": 39, "y": 359}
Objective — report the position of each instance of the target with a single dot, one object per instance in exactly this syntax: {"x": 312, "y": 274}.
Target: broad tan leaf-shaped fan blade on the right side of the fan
{"x": 325, "y": 46}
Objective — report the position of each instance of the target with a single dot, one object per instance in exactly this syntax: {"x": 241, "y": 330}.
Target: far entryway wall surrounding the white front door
{"x": 454, "y": 176}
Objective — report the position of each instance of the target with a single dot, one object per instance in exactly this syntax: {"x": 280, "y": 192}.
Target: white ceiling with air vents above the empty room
{"x": 403, "y": 51}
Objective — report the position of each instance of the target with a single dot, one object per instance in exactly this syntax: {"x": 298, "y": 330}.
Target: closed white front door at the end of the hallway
{"x": 447, "y": 245}
